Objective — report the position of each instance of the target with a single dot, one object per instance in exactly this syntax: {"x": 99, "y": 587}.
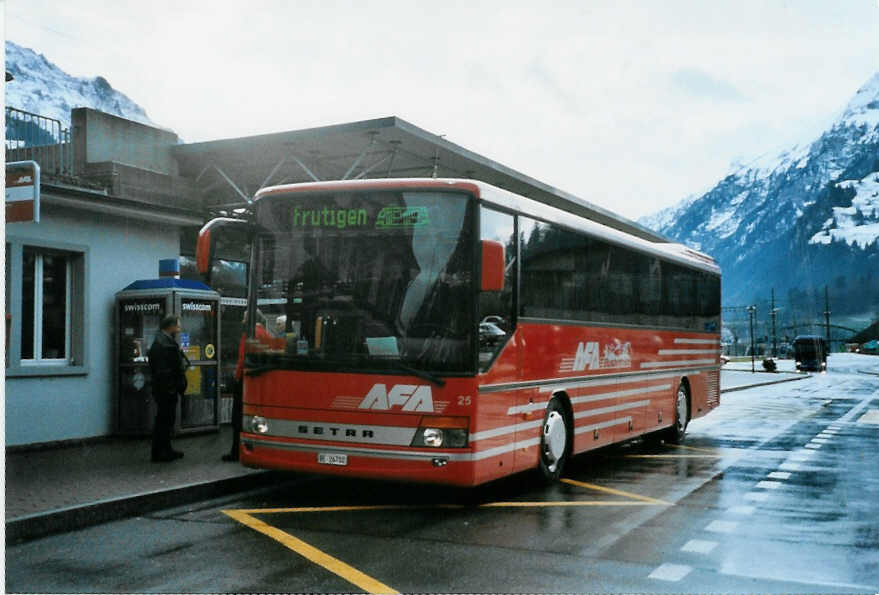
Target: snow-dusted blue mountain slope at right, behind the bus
{"x": 801, "y": 220}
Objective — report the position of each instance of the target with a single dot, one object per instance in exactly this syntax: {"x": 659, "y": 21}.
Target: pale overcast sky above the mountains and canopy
{"x": 630, "y": 105}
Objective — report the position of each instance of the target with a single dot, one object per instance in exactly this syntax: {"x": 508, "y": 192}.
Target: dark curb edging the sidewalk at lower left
{"x": 78, "y": 517}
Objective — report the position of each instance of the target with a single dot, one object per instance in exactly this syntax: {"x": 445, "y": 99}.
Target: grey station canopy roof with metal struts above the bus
{"x": 229, "y": 172}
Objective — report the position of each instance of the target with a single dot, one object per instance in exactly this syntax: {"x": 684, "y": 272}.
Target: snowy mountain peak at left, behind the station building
{"x": 40, "y": 87}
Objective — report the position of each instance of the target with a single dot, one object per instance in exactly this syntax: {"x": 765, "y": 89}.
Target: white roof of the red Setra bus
{"x": 620, "y": 234}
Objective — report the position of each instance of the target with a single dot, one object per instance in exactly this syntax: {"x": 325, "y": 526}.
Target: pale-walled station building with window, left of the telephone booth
{"x": 62, "y": 274}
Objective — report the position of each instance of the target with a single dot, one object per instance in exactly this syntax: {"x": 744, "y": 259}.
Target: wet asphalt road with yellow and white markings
{"x": 776, "y": 491}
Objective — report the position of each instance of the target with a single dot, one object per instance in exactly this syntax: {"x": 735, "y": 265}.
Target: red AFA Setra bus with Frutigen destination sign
{"x": 451, "y": 331}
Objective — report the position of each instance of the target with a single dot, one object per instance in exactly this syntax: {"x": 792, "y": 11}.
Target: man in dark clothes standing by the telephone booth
{"x": 168, "y": 369}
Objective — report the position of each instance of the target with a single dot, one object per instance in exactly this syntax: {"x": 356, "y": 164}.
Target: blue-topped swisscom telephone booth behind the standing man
{"x": 139, "y": 309}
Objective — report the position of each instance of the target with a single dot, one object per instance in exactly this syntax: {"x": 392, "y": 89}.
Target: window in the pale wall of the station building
{"x": 46, "y": 310}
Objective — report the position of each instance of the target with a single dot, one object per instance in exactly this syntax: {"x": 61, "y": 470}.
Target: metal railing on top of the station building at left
{"x": 39, "y": 138}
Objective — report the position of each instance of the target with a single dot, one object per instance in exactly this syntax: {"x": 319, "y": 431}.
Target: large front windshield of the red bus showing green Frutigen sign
{"x": 369, "y": 281}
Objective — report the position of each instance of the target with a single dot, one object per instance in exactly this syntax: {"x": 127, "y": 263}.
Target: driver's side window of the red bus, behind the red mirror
{"x": 496, "y": 308}
